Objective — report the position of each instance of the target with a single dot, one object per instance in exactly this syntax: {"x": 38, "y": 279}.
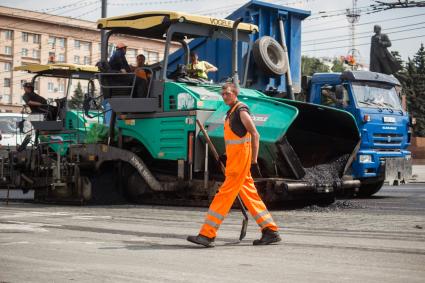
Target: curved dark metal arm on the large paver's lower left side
{"x": 99, "y": 153}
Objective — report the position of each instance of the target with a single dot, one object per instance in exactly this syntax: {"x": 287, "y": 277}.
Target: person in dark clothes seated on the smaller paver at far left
{"x": 38, "y": 104}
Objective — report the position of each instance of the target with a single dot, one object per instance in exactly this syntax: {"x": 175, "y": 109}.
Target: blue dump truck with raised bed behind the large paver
{"x": 373, "y": 99}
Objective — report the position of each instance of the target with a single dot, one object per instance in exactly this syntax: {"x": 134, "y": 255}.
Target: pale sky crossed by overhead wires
{"x": 322, "y": 36}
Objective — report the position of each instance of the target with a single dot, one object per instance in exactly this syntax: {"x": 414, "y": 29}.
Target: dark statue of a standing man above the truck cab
{"x": 381, "y": 60}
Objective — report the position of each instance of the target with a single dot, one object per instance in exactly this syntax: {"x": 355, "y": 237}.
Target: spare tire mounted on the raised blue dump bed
{"x": 269, "y": 56}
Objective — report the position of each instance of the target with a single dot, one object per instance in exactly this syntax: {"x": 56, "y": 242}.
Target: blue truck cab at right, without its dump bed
{"x": 374, "y": 101}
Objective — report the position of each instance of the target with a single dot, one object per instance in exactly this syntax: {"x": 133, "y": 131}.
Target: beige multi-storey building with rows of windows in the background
{"x": 30, "y": 37}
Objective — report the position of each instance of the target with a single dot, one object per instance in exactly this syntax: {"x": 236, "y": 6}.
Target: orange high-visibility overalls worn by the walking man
{"x": 238, "y": 181}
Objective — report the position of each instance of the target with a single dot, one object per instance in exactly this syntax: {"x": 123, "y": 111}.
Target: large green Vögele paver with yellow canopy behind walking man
{"x": 155, "y": 150}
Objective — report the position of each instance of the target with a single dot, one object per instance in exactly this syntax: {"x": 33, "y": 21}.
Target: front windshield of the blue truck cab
{"x": 376, "y": 95}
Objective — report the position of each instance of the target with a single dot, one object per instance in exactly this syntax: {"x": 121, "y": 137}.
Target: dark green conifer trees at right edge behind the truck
{"x": 412, "y": 78}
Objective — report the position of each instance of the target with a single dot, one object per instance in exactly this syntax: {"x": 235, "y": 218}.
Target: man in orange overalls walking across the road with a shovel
{"x": 242, "y": 154}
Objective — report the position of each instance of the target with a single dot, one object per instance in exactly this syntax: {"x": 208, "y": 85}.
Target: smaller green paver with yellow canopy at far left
{"x": 45, "y": 166}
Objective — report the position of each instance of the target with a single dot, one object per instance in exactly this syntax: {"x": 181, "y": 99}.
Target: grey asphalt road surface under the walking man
{"x": 381, "y": 239}
